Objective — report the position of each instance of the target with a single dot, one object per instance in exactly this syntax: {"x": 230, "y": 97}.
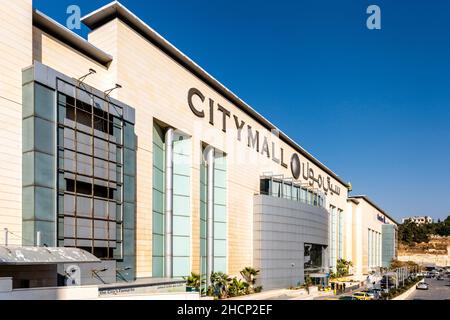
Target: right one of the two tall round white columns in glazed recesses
{"x": 210, "y": 215}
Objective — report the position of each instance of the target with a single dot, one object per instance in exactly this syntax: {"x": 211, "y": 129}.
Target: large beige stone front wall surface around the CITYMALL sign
{"x": 157, "y": 86}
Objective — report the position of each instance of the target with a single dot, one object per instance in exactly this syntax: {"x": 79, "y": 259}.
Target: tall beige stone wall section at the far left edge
{"x": 15, "y": 54}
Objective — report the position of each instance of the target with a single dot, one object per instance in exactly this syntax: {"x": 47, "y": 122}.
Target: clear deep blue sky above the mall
{"x": 374, "y": 106}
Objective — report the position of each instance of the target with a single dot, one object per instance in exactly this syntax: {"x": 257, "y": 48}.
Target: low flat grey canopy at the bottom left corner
{"x": 44, "y": 255}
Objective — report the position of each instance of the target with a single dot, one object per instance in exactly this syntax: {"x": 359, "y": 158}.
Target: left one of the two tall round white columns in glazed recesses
{"x": 168, "y": 218}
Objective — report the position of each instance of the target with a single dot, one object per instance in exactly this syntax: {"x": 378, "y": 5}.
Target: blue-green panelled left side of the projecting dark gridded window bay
{"x": 38, "y": 162}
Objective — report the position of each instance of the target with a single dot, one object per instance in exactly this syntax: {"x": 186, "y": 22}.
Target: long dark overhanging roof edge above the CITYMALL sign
{"x": 116, "y": 10}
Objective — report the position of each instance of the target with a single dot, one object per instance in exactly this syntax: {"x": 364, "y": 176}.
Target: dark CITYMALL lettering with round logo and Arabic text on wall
{"x": 198, "y": 104}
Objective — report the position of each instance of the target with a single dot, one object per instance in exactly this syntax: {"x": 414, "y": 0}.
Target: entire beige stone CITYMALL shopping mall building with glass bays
{"x": 122, "y": 146}
